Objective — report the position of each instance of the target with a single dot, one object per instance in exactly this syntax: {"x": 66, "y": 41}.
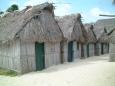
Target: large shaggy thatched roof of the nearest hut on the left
{"x": 35, "y": 23}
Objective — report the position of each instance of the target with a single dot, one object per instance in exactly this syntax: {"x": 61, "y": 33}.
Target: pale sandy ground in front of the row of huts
{"x": 94, "y": 71}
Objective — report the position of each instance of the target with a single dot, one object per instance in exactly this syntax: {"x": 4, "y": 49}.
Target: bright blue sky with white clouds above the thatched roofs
{"x": 89, "y": 9}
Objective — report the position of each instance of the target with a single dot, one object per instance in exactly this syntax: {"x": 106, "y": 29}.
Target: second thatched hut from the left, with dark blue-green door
{"x": 74, "y": 34}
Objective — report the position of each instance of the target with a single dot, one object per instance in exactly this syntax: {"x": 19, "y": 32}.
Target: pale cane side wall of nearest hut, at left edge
{"x": 10, "y": 55}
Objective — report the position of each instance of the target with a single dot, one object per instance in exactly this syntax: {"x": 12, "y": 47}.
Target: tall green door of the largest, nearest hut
{"x": 40, "y": 57}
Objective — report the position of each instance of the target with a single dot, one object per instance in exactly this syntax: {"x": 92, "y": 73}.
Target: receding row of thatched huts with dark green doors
{"x": 32, "y": 39}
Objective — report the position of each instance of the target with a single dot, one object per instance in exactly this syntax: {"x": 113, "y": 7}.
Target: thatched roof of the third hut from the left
{"x": 90, "y": 33}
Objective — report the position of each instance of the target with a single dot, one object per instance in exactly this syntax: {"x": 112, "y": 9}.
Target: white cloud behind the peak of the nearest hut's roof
{"x": 62, "y": 8}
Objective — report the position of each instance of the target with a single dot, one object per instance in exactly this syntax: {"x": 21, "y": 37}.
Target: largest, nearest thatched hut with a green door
{"x": 30, "y": 39}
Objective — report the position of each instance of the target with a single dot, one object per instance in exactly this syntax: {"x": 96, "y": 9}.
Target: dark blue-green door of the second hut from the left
{"x": 70, "y": 51}
